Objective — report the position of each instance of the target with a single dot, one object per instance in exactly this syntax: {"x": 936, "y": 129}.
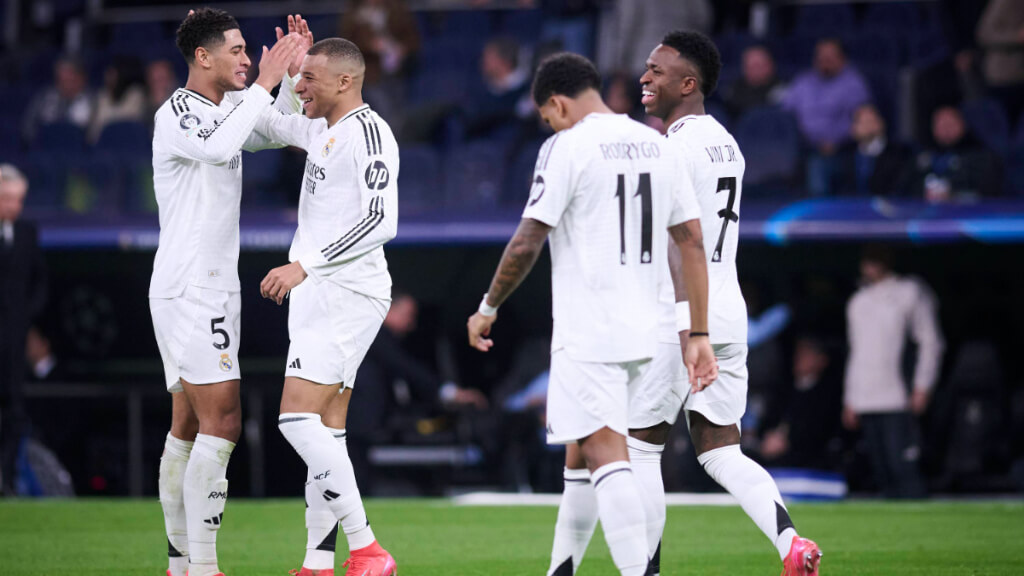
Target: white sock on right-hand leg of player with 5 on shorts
{"x": 205, "y": 496}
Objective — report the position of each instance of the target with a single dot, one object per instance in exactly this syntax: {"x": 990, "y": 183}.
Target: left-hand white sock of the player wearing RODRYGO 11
{"x": 577, "y": 520}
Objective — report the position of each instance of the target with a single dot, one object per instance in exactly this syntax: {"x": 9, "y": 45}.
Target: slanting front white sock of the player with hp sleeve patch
{"x": 332, "y": 474}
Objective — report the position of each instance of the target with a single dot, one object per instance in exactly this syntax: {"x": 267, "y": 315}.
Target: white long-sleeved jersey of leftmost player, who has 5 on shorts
{"x": 197, "y": 177}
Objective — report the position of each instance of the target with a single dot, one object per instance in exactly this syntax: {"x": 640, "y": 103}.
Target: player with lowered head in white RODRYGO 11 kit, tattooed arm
{"x": 606, "y": 188}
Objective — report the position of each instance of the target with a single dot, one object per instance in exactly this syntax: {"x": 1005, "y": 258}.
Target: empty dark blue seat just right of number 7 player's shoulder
{"x": 771, "y": 143}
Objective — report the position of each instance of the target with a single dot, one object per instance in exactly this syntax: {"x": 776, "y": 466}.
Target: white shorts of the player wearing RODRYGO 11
{"x": 584, "y": 397}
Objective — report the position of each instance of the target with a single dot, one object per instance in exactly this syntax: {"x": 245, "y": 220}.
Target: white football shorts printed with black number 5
{"x": 198, "y": 335}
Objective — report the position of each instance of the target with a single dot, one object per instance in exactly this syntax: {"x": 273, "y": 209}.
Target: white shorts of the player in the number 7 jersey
{"x": 666, "y": 389}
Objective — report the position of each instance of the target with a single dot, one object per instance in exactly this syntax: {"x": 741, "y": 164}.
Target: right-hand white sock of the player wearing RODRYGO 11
{"x": 621, "y": 511}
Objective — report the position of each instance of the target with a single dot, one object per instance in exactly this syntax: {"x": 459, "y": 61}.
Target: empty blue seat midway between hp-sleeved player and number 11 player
{"x": 475, "y": 175}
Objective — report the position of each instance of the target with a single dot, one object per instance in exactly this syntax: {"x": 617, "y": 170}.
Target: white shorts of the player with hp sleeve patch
{"x": 331, "y": 330}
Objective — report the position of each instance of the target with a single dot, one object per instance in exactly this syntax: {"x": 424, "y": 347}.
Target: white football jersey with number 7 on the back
{"x": 714, "y": 162}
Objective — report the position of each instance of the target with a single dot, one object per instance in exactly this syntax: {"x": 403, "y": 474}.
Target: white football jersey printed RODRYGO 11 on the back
{"x": 610, "y": 187}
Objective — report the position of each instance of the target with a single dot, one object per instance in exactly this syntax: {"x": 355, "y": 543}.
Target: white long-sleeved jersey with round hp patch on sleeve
{"x": 349, "y": 204}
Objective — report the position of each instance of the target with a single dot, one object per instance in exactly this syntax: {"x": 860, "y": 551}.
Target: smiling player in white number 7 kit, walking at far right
{"x": 681, "y": 72}
